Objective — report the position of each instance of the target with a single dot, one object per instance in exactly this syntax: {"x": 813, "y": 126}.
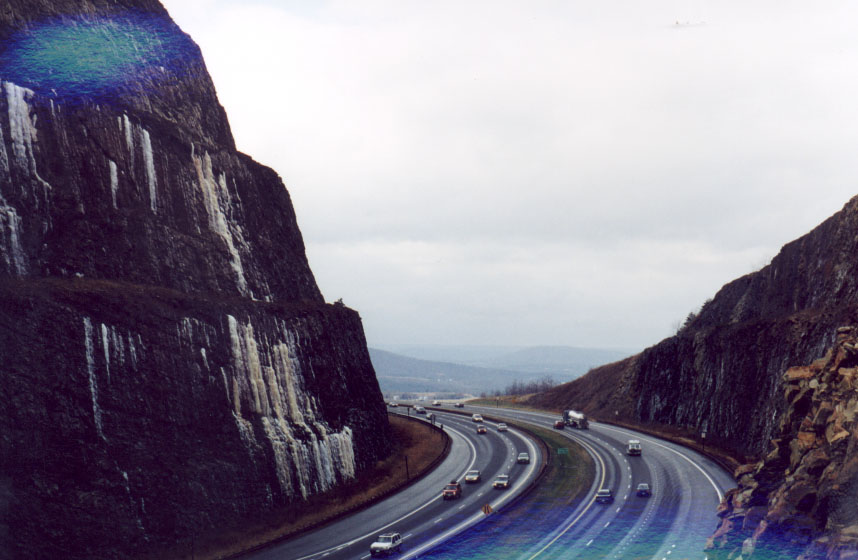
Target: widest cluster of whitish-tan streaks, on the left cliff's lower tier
{"x": 270, "y": 375}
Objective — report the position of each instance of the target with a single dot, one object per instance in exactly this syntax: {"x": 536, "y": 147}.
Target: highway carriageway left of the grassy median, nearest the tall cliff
{"x": 418, "y": 513}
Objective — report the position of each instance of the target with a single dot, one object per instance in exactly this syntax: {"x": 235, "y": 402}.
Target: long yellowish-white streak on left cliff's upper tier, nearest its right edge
{"x": 216, "y": 199}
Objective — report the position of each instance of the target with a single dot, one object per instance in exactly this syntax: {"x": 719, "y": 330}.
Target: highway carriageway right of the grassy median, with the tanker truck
{"x": 673, "y": 523}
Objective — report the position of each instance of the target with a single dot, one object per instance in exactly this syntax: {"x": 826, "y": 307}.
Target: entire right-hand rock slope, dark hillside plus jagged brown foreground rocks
{"x": 722, "y": 375}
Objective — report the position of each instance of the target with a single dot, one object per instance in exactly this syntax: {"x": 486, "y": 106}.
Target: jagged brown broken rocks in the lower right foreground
{"x": 801, "y": 500}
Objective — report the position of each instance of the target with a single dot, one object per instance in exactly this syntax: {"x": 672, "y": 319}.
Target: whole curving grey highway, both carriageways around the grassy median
{"x": 649, "y": 499}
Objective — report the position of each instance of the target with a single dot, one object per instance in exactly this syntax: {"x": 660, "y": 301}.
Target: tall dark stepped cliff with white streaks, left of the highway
{"x": 169, "y": 366}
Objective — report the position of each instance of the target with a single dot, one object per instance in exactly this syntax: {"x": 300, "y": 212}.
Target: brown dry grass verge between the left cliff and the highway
{"x": 414, "y": 439}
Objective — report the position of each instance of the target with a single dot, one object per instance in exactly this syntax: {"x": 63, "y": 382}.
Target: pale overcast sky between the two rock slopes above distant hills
{"x": 539, "y": 173}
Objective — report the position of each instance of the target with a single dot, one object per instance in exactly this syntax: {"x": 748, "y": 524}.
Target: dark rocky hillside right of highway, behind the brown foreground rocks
{"x": 729, "y": 358}
